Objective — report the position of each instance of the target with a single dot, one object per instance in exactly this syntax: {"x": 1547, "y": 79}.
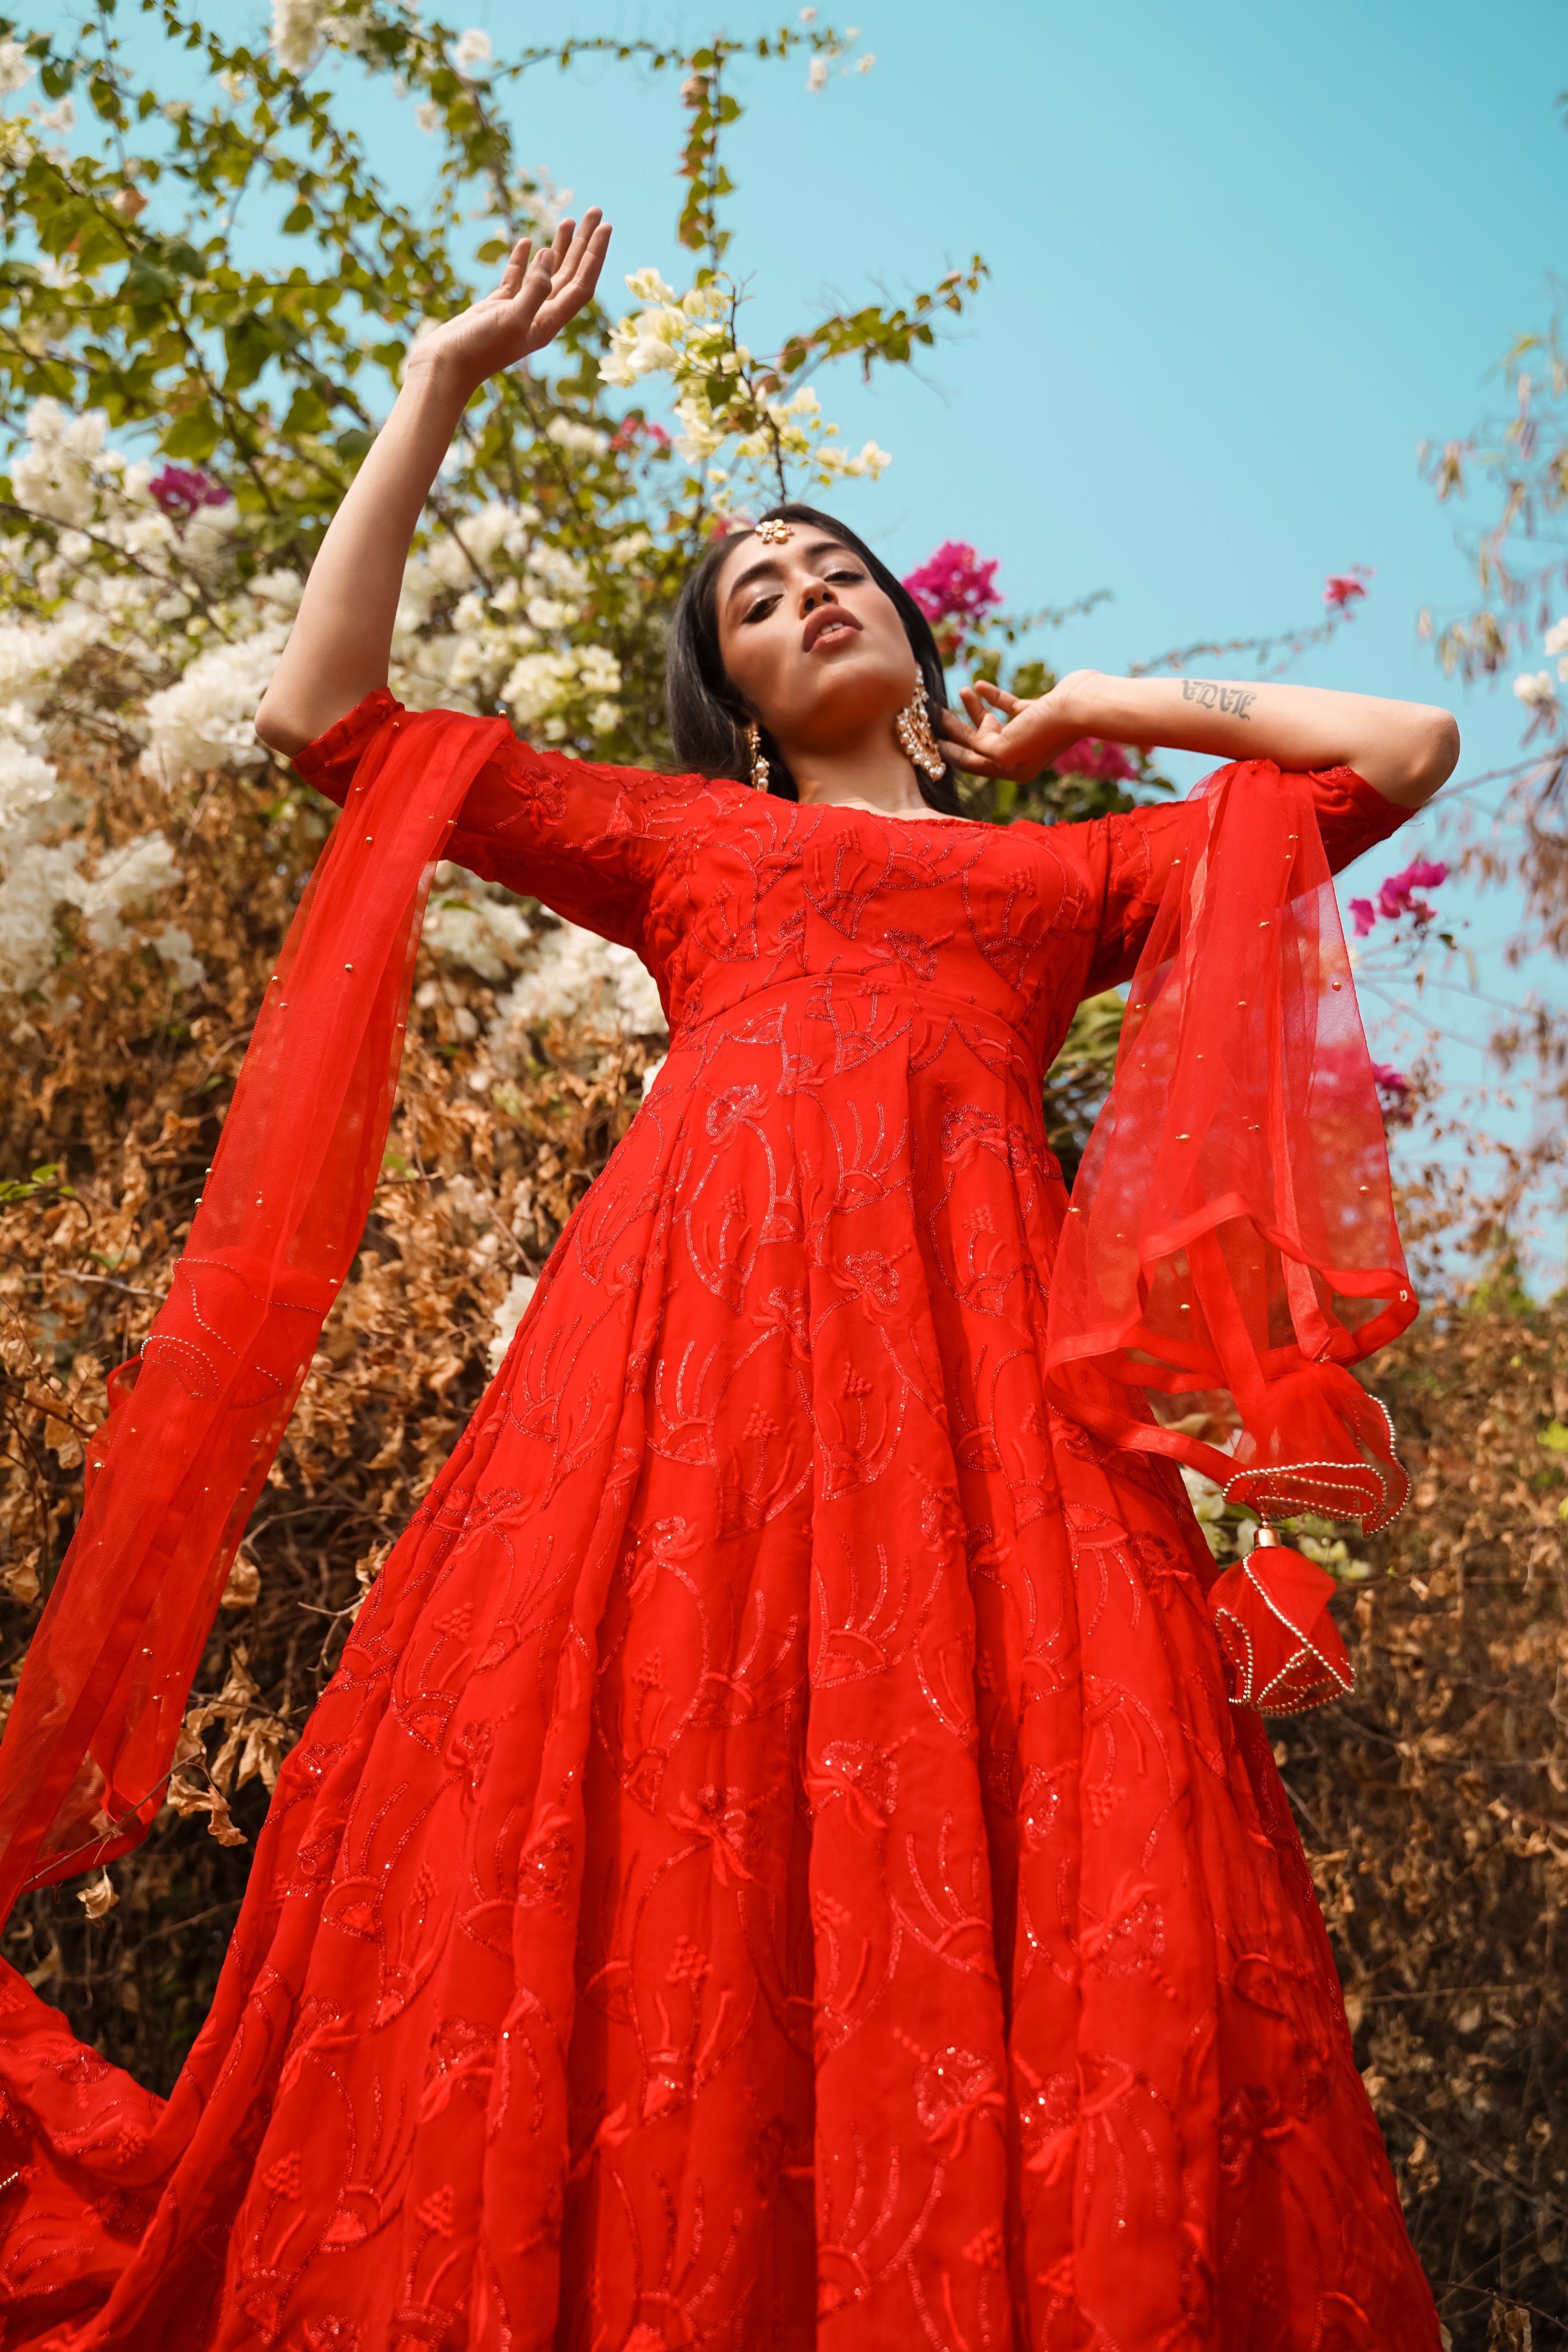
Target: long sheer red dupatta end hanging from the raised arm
{"x": 175, "y": 1471}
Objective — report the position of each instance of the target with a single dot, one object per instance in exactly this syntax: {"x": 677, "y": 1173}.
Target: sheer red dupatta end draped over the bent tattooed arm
{"x": 1233, "y": 1224}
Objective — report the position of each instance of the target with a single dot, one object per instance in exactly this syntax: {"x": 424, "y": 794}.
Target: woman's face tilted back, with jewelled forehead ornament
{"x": 812, "y": 641}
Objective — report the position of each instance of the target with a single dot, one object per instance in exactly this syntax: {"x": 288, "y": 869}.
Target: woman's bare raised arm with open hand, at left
{"x": 342, "y": 641}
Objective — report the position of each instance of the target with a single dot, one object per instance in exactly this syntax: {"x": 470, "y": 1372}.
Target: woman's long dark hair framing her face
{"x": 709, "y": 719}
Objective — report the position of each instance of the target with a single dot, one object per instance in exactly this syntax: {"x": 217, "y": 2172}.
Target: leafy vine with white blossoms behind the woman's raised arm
{"x": 154, "y": 575}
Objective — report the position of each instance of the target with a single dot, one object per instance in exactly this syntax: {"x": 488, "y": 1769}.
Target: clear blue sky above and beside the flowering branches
{"x": 1242, "y": 260}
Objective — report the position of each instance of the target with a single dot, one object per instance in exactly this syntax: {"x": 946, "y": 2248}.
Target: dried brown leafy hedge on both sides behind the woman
{"x": 1435, "y": 1805}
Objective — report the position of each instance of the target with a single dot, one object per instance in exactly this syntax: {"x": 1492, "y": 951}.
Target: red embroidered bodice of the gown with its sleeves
{"x": 728, "y": 893}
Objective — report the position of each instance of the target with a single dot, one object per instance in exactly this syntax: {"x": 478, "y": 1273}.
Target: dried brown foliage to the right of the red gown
{"x": 1435, "y": 1819}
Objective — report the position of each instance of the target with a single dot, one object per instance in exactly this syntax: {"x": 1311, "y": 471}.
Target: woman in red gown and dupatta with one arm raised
{"x": 779, "y": 1864}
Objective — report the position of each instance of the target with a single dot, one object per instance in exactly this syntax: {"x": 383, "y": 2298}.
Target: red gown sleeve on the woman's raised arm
{"x": 587, "y": 841}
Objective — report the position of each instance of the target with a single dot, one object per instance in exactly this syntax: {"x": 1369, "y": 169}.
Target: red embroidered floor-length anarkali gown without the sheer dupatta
{"x": 777, "y": 1864}
